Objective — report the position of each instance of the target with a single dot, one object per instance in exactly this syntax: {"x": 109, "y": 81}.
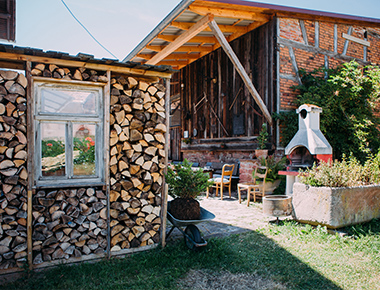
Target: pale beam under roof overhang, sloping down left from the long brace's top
{"x": 182, "y": 39}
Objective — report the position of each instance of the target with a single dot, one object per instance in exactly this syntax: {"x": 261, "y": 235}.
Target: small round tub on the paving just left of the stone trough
{"x": 277, "y": 205}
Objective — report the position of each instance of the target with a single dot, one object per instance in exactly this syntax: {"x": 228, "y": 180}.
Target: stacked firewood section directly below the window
{"x": 69, "y": 223}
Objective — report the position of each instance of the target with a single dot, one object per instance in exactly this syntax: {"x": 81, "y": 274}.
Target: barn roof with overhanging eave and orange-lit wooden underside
{"x": 234, "y": 18}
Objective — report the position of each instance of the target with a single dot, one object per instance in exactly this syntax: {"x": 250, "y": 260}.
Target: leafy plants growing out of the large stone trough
{"x": 346, "y": 173}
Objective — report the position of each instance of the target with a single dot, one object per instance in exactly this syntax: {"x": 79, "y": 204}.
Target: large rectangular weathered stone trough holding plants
{"x": 335, "y": 207}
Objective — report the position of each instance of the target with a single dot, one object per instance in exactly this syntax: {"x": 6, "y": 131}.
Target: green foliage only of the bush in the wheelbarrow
{"x": 184, "y": 182}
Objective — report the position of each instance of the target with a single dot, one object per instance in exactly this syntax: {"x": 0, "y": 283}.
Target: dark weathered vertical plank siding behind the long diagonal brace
{"x": 213, "y": 95}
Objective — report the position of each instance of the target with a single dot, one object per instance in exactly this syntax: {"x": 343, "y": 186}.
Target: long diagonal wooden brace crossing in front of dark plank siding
{"x": 240, "y": 69}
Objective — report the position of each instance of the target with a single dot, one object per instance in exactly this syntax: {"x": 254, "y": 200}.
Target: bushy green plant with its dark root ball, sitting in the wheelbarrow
{"x": 185, "y": 185}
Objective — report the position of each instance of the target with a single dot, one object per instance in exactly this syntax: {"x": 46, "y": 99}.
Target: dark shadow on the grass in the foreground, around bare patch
{"x": 250, "y": 252}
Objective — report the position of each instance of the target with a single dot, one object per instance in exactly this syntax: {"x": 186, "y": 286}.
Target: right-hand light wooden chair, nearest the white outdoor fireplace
{"x": 253, "y": 187}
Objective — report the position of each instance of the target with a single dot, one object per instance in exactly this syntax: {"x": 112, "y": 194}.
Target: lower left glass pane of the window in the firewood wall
{"x": 53, "y": 149}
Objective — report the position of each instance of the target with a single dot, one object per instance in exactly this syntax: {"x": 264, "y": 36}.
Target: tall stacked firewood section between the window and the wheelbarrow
{"x": 137, "y": 161}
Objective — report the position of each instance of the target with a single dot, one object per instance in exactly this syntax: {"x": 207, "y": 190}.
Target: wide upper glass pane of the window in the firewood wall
{"x": 68, "y": 102}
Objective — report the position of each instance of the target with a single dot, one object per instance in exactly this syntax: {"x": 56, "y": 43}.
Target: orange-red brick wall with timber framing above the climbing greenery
{"x": 298, "y": 50}
